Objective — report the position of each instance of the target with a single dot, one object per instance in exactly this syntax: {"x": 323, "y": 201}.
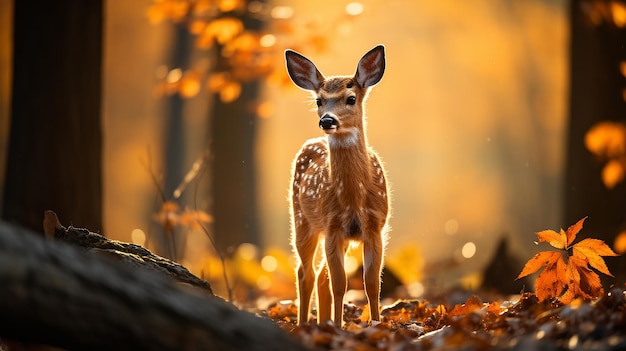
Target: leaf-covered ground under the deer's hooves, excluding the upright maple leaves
{"x": 520, "y": 324}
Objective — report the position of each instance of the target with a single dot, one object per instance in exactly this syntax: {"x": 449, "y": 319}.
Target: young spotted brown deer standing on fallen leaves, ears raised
{"x": 339, "y": 193}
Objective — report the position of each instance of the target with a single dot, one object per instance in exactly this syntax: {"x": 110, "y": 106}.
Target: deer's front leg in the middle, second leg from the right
{"x": 335, "y": 248}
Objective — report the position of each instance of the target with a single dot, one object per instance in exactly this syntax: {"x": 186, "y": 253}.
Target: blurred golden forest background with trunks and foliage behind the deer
{"x": 172, "y": 124}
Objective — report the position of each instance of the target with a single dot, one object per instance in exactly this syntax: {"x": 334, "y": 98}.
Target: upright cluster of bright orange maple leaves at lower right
{"x": 574, "y": 279}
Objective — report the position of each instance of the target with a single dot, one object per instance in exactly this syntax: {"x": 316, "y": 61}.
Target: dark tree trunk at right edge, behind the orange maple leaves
{"x": 596, "y": 95}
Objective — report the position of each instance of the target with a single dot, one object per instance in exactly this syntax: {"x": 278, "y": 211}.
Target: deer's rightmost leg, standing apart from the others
{"x": 372, "y": 265}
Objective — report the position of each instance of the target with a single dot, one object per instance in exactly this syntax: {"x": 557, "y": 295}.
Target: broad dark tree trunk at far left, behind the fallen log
{"x": 54, "y": 152}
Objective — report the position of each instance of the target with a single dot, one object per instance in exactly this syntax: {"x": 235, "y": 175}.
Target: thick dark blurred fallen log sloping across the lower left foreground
{"x": 59, "y": 295}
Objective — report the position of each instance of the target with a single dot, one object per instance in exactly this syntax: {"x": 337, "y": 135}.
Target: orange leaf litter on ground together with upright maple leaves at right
{"x": 568, "y": 311}
